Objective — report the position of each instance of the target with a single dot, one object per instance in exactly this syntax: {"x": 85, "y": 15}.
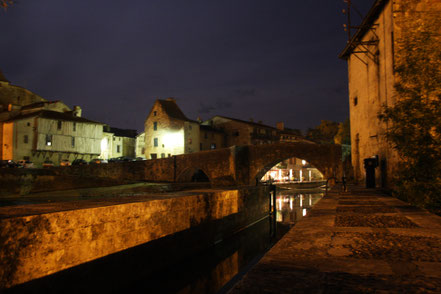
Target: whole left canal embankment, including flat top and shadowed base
{"x": 40, "y": 241}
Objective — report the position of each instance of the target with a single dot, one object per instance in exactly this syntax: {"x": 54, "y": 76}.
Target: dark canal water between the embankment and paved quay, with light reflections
{"x": 217, "y": 269}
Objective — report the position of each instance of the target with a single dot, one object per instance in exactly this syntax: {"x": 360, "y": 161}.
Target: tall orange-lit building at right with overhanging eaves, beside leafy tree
{"x": 371, "y": 54}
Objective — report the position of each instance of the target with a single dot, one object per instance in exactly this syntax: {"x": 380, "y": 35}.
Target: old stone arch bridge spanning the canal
{"x": 234, "y": 166}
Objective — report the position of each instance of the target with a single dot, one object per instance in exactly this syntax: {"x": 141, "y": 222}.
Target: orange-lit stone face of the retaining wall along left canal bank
{"x": 35, "y": 246}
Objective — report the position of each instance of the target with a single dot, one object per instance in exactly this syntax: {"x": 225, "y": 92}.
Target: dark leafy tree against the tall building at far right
{"x": 414, "y": 121}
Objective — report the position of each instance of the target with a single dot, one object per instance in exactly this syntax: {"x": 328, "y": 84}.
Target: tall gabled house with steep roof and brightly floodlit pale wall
{"x": 169, "y": 132}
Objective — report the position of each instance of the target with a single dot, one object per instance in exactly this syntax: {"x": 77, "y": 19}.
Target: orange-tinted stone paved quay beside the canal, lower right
{"x": 360, "y": 241}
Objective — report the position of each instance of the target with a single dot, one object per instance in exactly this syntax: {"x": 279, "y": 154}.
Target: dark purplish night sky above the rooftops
{"x": 269, "y": 60}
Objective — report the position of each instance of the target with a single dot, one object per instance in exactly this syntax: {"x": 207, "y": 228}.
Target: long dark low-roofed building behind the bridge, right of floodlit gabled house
{"x": 240, "y": 132}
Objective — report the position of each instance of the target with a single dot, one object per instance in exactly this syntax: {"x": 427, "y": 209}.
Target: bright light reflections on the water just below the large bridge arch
{"x": 292, "y": 206}
